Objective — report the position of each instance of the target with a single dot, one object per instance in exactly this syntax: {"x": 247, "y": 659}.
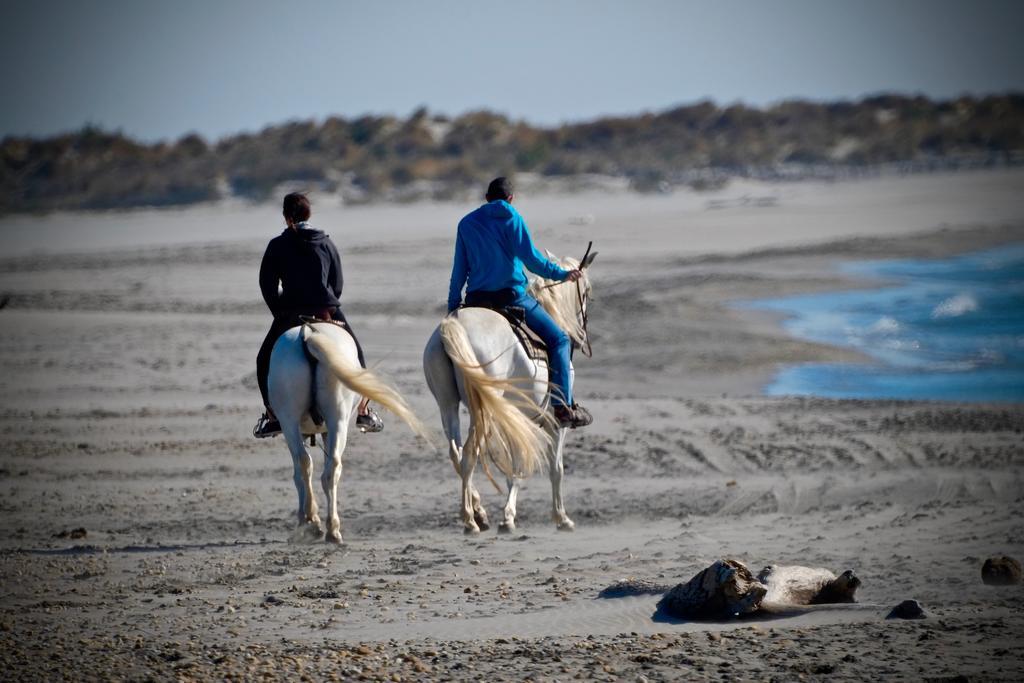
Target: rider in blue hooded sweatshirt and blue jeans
{"x": 491, "y": 250}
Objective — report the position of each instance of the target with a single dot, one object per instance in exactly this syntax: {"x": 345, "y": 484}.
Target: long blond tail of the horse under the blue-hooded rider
{"x": 501, "y": 432}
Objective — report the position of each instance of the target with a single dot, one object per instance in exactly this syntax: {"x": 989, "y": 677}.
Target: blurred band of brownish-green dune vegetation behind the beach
{"x": 386, "y": 158}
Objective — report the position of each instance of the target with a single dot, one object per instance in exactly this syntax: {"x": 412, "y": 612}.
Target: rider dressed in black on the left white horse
{"x": 306, "y": 264}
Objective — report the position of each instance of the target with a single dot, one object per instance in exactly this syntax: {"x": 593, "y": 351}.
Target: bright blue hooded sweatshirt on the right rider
{"x": 491, "y": 250}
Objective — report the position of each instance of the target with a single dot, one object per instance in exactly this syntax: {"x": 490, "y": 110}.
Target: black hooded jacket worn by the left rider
{"x": 308, "y": 266}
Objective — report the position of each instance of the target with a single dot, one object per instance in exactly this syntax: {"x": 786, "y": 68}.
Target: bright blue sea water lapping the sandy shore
{"x": 948, "y": 330}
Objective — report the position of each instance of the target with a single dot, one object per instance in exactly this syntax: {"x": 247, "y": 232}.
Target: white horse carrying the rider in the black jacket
{"x": 339, "y": 383}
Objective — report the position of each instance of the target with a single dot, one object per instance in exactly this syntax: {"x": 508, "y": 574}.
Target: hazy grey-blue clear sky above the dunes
{"x": 162, "y": 70}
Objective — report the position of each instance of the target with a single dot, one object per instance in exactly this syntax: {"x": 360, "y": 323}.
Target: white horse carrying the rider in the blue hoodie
{"x": 476, "y": 360}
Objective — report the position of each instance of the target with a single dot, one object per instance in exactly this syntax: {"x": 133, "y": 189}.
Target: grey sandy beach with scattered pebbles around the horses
{"x": 148, "y": 536}
